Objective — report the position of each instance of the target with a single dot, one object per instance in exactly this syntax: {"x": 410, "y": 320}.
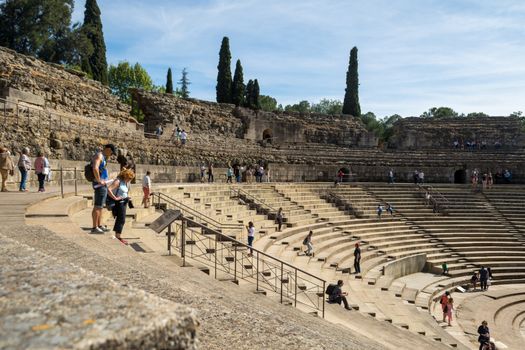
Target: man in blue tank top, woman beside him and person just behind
{"x": 113, "y": 194}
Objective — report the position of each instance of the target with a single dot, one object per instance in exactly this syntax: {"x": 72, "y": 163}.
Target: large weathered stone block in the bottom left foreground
{"x": 46, "y": 304}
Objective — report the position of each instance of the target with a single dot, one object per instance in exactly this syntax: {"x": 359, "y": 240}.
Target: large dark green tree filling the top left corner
{"x": 40, "y": 28}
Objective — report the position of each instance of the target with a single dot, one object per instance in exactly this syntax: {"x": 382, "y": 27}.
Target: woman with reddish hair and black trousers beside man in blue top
{"x": 118, "y": 191}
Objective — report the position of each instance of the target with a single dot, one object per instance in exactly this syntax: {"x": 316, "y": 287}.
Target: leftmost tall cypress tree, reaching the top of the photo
{"x": 93, "y": 28}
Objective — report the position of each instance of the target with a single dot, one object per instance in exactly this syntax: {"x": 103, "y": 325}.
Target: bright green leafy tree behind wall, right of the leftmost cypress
{"x": 125, "y": 76}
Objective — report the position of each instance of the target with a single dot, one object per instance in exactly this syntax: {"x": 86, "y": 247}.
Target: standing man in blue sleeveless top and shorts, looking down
{"x": 101, "y": 176}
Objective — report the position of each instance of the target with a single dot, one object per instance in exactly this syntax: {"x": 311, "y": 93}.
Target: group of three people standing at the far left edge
{"x": 40, "y": 165}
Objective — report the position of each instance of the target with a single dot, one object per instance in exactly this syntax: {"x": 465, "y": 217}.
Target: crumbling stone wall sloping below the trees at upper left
{"x": 55, "y": 88}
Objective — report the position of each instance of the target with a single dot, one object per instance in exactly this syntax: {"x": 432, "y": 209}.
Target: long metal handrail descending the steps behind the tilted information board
{"x": 282, "y": 270}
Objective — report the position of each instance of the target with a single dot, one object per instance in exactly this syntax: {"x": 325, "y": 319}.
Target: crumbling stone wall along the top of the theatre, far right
{"x": 413, "y": 133}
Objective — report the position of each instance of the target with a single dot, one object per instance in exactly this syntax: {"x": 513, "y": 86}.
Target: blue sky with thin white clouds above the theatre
{"x": 413, "y": 54}
